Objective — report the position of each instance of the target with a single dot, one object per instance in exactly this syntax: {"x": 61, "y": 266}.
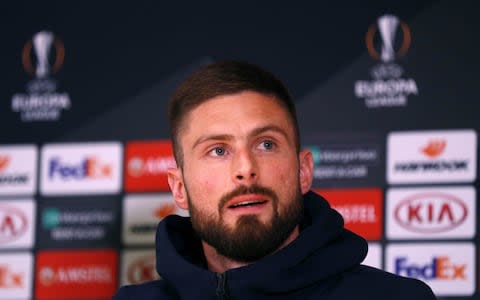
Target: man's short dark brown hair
{"x": 224, "y": 78}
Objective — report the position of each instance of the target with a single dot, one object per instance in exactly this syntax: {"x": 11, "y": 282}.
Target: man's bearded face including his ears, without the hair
{"x": 242, "y": 178}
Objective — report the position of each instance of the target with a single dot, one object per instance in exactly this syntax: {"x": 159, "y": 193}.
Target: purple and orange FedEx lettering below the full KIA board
{"x": 440, "y": 267}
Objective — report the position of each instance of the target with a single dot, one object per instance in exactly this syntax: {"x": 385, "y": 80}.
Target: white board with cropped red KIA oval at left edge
{"x": 17, "y": 223}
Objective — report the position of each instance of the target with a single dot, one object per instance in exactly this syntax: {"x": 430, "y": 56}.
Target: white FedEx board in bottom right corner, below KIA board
{"x": 448, "y": 268}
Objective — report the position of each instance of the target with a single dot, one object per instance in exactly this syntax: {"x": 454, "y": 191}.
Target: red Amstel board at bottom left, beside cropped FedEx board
{"x": 76, "y": 274}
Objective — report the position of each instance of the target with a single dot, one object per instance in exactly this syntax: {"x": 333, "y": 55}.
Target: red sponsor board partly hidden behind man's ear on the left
{"x": 147, "y": 164}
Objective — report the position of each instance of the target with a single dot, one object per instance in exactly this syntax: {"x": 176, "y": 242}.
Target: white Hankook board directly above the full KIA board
{"x": 431, "y": 156}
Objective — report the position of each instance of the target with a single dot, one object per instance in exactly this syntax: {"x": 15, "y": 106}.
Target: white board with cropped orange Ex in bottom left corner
{"x": 17, "y": 276}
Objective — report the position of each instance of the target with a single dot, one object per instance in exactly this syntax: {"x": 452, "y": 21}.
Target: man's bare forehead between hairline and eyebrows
{"x": 239, "y": 111}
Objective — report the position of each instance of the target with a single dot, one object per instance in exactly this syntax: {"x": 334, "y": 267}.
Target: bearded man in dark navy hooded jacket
{"x": 255, "y": 231}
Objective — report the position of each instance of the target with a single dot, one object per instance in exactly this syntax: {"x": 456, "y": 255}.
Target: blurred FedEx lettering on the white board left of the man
{"x": 89, "y": 167}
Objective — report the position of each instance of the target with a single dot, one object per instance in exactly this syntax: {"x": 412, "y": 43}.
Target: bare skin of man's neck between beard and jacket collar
{"x": 220, "y": 264}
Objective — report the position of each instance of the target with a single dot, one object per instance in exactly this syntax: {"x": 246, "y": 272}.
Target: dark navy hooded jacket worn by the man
{"x": 322, "y": 263}
